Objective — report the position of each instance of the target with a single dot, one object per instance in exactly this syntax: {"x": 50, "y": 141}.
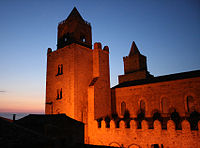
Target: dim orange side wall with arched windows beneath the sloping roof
{"x": 175, "y": 92}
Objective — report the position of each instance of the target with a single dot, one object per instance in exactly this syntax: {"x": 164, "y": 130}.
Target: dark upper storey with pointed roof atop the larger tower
{"x": 74, "y": 30}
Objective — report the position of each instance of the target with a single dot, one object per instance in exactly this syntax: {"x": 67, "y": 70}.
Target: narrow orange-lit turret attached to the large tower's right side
{"x": 102, "y": 97}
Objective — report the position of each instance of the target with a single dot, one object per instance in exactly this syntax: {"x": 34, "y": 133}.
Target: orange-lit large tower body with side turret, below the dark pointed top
{"x": 82, "y": 67}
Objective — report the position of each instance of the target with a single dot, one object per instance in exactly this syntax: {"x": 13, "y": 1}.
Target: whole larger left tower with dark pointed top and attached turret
{"x": 73, "y": 68}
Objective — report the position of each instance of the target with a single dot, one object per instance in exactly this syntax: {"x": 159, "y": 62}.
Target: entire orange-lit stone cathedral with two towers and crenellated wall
{"x": 141, "y": 111}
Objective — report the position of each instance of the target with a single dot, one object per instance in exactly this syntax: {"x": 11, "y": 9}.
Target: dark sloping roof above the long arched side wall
{"x": 165, "y": 78}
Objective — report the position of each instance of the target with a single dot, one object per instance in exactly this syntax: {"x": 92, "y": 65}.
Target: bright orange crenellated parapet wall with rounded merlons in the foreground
{"x": 144, "y": 137}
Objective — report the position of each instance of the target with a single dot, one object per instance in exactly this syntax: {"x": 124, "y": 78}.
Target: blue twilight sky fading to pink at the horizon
{"x": 166, "y": 31}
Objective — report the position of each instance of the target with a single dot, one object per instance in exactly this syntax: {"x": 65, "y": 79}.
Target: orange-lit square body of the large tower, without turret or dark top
{"x": 77, "y": 75}
